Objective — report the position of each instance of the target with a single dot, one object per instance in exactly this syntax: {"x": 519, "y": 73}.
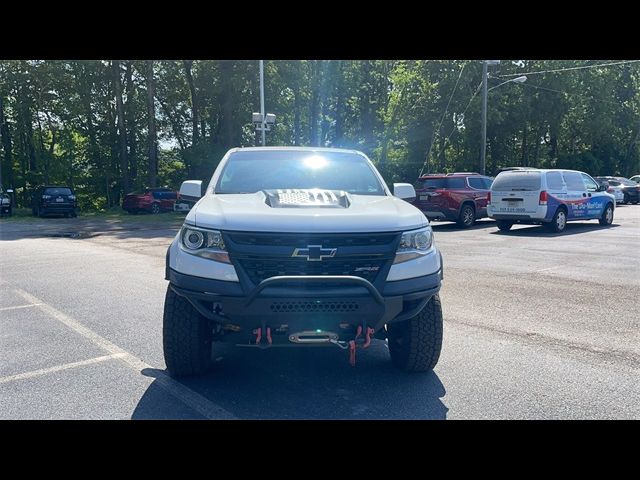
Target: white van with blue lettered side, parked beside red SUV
{"x": 549, "y": 197}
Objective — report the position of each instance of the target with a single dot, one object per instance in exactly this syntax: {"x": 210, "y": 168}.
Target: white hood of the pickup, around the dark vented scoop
{"x": 250, "y": 212}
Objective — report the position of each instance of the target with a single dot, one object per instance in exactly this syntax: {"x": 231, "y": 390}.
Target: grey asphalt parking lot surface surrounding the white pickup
{"x": 537, "y": 326}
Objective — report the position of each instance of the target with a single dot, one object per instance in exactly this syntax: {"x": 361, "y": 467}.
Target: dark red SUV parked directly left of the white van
{"x": 457, "y": 197}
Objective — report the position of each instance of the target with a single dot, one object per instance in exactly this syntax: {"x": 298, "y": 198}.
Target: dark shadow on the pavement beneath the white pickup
{"x": 312, "y": 383}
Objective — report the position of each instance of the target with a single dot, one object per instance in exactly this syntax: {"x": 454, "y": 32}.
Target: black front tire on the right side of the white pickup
{"x": 415, "y": 344}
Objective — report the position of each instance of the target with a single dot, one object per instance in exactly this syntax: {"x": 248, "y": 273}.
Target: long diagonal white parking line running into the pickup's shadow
{"x": 192, "y": 399}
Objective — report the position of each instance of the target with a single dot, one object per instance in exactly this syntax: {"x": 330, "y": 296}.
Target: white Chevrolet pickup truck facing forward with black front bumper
{"x": 292, "y": 246}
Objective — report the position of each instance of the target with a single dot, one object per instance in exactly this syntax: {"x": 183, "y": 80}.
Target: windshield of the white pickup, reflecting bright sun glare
{"x": 252, "y": 171}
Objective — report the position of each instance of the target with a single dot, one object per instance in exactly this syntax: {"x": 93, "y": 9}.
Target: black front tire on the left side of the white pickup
{"x": 186, "y": 337}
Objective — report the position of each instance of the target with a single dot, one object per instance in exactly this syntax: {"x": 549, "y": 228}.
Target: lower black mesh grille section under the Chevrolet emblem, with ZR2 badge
{"x": 258, "y": 270}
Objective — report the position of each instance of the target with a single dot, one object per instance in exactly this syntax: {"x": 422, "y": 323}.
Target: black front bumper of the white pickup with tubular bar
{"x": 304, "y": 303}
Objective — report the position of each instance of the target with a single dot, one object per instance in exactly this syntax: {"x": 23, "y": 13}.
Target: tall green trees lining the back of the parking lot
{"x": 59, "y": 119}
